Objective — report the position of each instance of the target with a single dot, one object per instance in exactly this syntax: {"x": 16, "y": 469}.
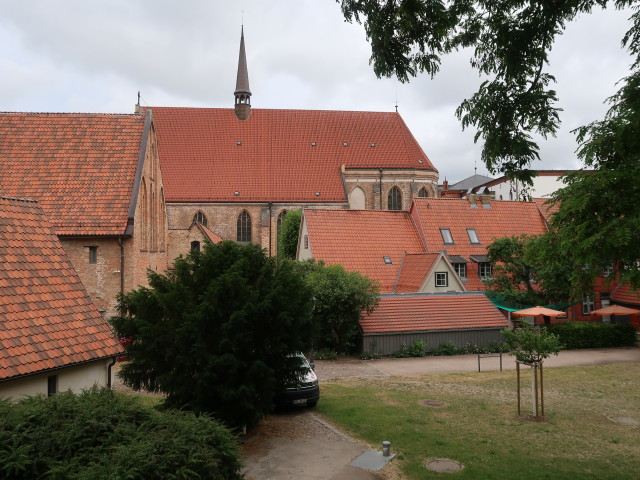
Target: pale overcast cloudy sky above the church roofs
{"x": 95, "y": 56}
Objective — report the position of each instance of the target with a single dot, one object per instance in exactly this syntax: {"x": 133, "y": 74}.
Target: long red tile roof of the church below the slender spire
{"x": 207, "y": 154}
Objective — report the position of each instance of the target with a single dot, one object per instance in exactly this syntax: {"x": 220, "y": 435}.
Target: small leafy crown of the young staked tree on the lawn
{"x": 531, "y": 345}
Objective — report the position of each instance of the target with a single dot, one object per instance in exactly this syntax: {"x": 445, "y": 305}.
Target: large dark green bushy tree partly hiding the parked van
{"x": 214, "y": 333}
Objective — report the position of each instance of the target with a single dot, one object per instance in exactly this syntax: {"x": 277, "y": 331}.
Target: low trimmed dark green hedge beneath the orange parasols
{"x": 576, "y": 335}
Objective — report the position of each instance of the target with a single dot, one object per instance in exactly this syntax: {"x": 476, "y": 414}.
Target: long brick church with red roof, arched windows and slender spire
{"x": 238, "y": 171}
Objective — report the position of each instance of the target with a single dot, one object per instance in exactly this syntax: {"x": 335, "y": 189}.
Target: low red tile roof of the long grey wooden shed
{"x": 425, "y": 312}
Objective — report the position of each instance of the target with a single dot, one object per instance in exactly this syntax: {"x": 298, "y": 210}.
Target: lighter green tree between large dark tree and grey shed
{"x": 339, "y": 298}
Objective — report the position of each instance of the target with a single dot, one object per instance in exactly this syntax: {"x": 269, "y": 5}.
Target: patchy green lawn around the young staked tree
{"x": 478, "y": 426}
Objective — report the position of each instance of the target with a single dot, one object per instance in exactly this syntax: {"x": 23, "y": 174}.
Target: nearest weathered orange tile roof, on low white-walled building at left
{"x": 47, "y": 319}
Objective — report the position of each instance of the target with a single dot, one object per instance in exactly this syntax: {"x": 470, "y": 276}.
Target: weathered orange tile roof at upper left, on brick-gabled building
{"x": 80, "y": 167}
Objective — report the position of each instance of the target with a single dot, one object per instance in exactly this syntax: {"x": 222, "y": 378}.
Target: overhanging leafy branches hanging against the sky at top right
{"x": 510, "y": 41}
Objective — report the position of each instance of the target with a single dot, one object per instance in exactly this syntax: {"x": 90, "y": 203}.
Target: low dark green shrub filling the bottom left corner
{"x": 102, "y": 435}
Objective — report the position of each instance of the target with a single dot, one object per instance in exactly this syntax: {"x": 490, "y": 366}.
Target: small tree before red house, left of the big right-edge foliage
{"x": 528, "y": 271}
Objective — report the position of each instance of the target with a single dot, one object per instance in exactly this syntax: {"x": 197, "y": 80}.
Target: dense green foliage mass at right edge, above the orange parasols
{"x": 598, "y": 219}
